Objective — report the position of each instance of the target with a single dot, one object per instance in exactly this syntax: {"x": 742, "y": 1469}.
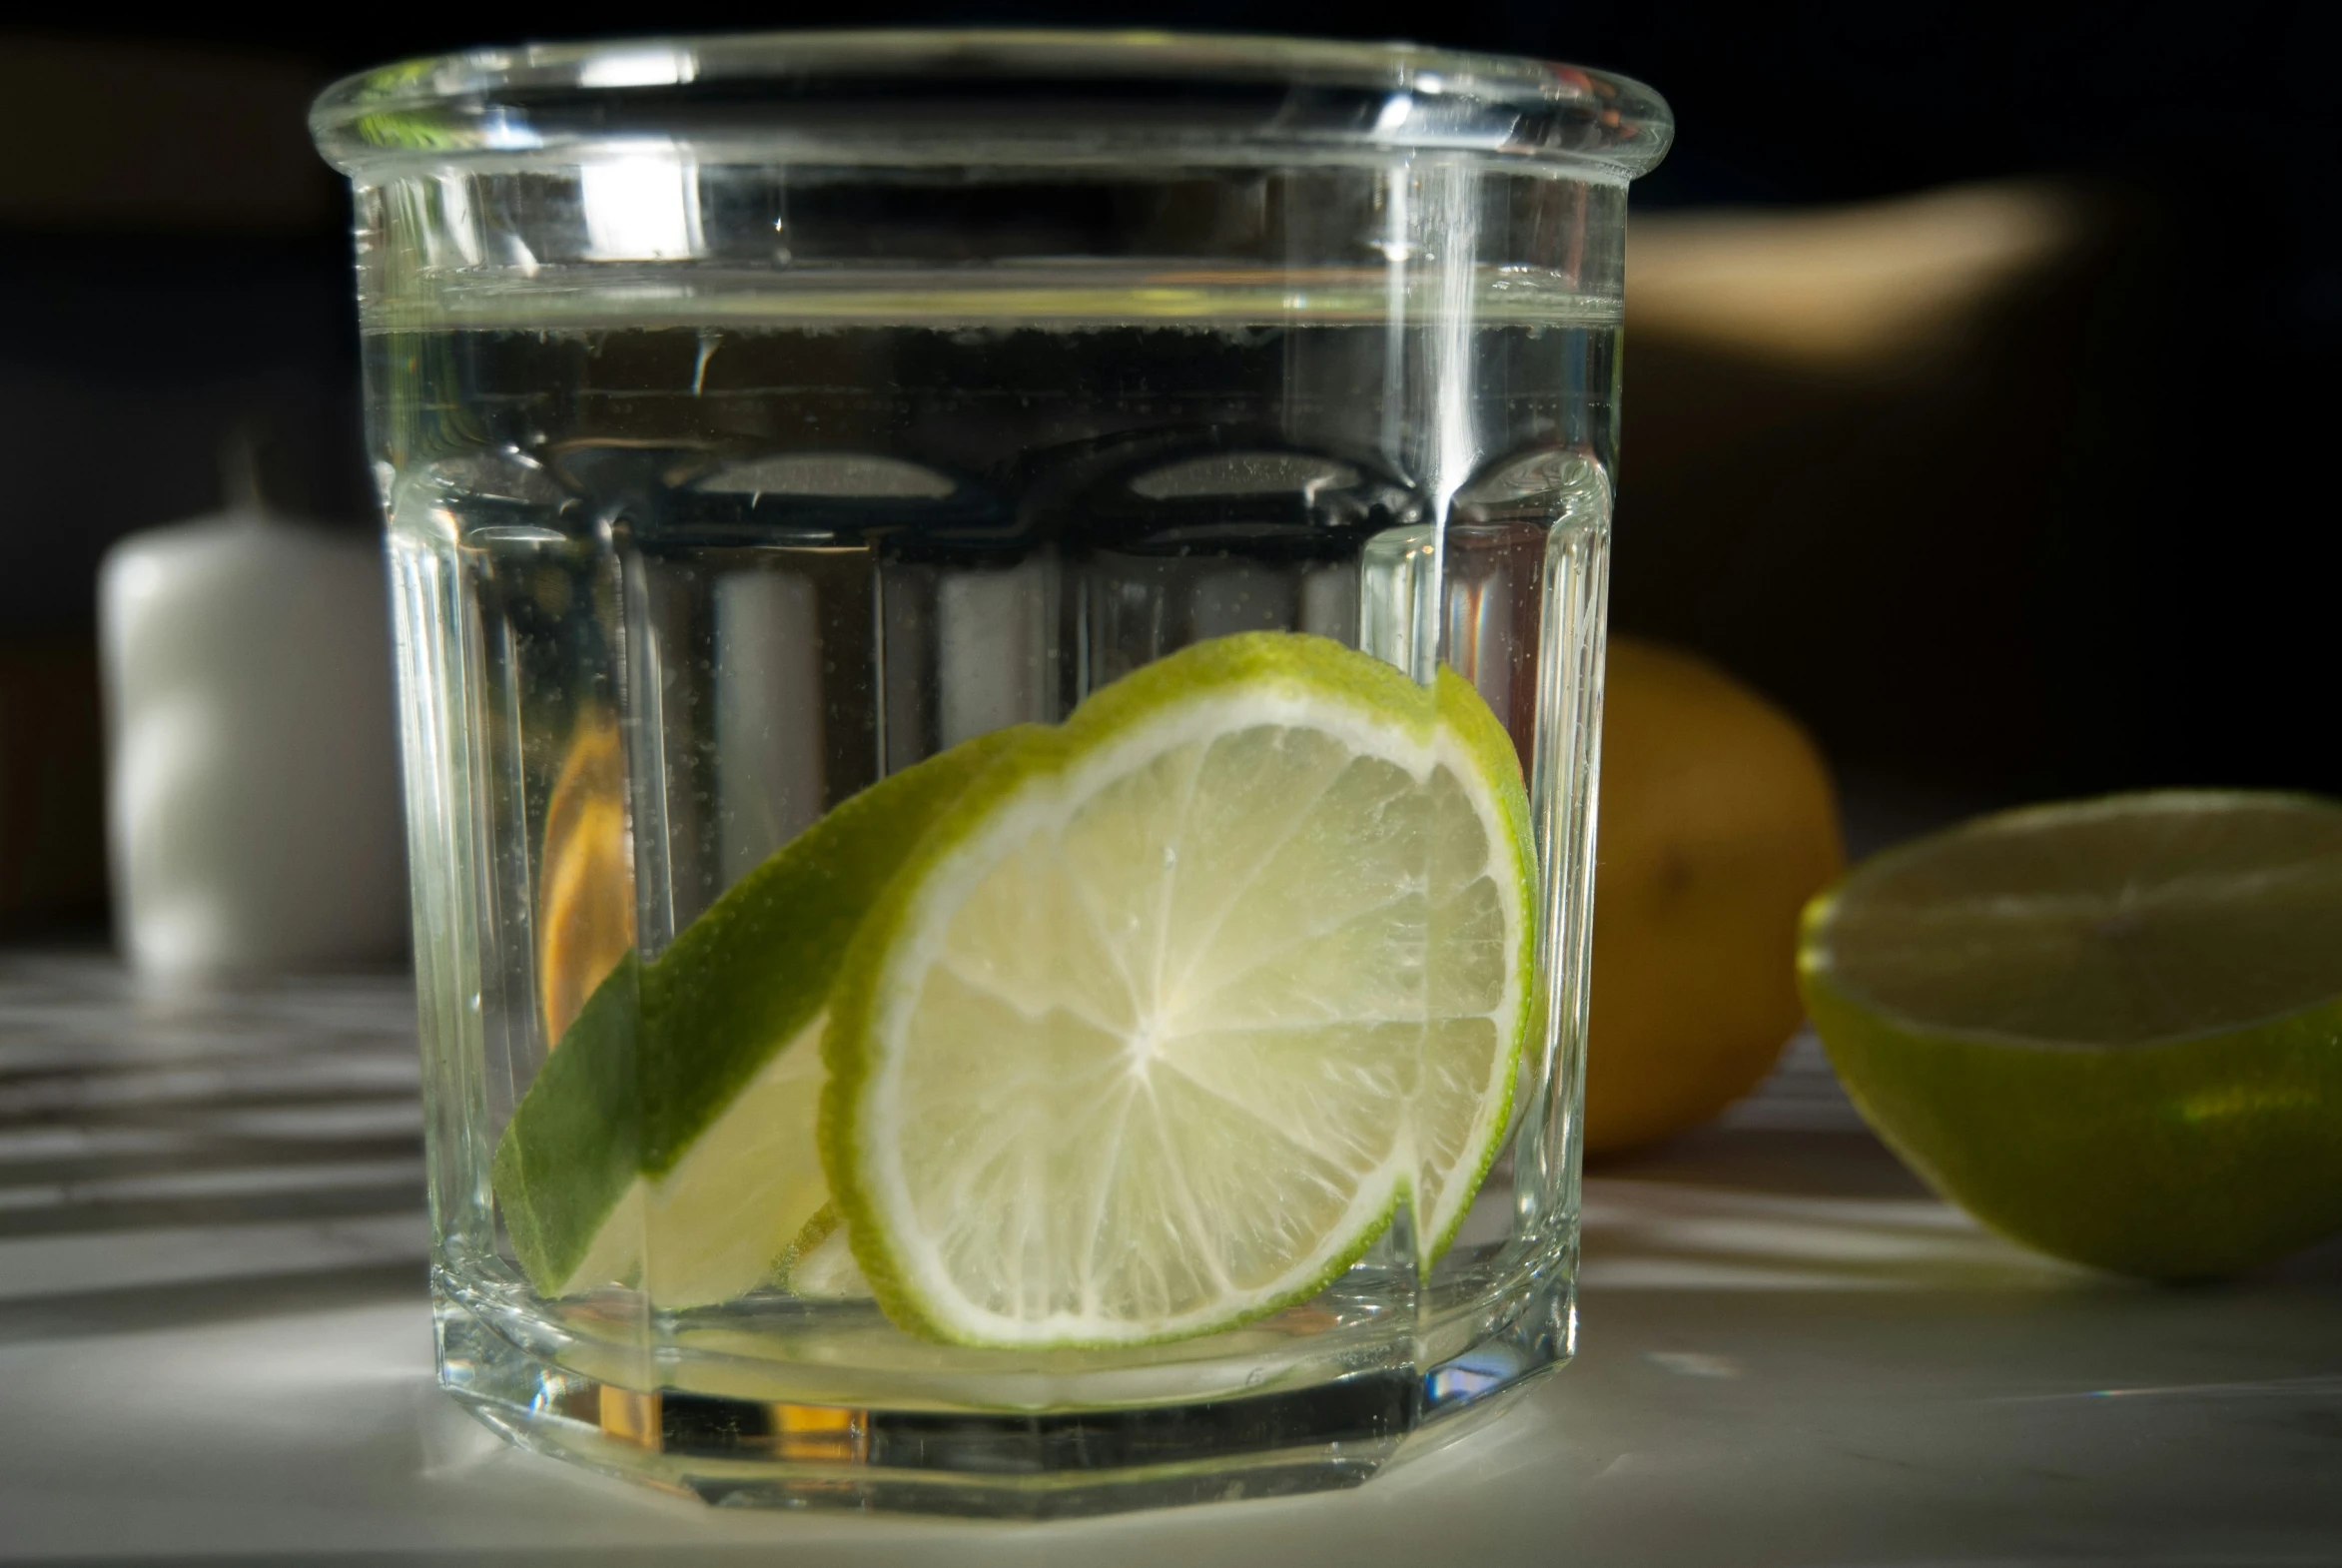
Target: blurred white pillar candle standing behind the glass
{"x": 252, "y": 755}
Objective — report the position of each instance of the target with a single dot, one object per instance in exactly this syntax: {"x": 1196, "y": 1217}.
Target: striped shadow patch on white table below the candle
{"x": 184, "y": 1157}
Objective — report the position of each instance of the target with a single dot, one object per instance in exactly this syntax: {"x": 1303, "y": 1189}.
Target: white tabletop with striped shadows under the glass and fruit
{"x": 214, "y": 1347}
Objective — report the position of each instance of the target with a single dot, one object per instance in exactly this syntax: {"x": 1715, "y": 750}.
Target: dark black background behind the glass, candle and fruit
{"x": 2088, "y": 546}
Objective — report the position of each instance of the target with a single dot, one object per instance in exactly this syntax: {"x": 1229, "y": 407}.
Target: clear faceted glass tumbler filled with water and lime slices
{"x": 1001, "y": 652}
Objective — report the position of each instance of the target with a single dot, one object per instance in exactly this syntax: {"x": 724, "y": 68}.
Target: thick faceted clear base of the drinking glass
{"x": 1004, "y": 1464}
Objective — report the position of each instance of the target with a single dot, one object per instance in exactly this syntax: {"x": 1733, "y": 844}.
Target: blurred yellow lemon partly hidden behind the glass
{"x": 1718, "y": 825}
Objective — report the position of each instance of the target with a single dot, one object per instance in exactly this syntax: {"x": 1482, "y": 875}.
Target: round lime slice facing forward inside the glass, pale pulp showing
{"x": 1184, "y": 1000}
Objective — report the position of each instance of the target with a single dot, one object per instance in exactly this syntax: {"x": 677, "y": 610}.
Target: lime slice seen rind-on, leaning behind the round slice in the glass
{"x": 671, "y": 1136}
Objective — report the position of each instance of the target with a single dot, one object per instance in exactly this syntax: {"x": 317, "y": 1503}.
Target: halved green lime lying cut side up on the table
{"x": 2107, "y": 1029}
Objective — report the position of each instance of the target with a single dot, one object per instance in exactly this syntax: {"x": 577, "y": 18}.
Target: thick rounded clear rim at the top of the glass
{"x": 992, "y": 97}
